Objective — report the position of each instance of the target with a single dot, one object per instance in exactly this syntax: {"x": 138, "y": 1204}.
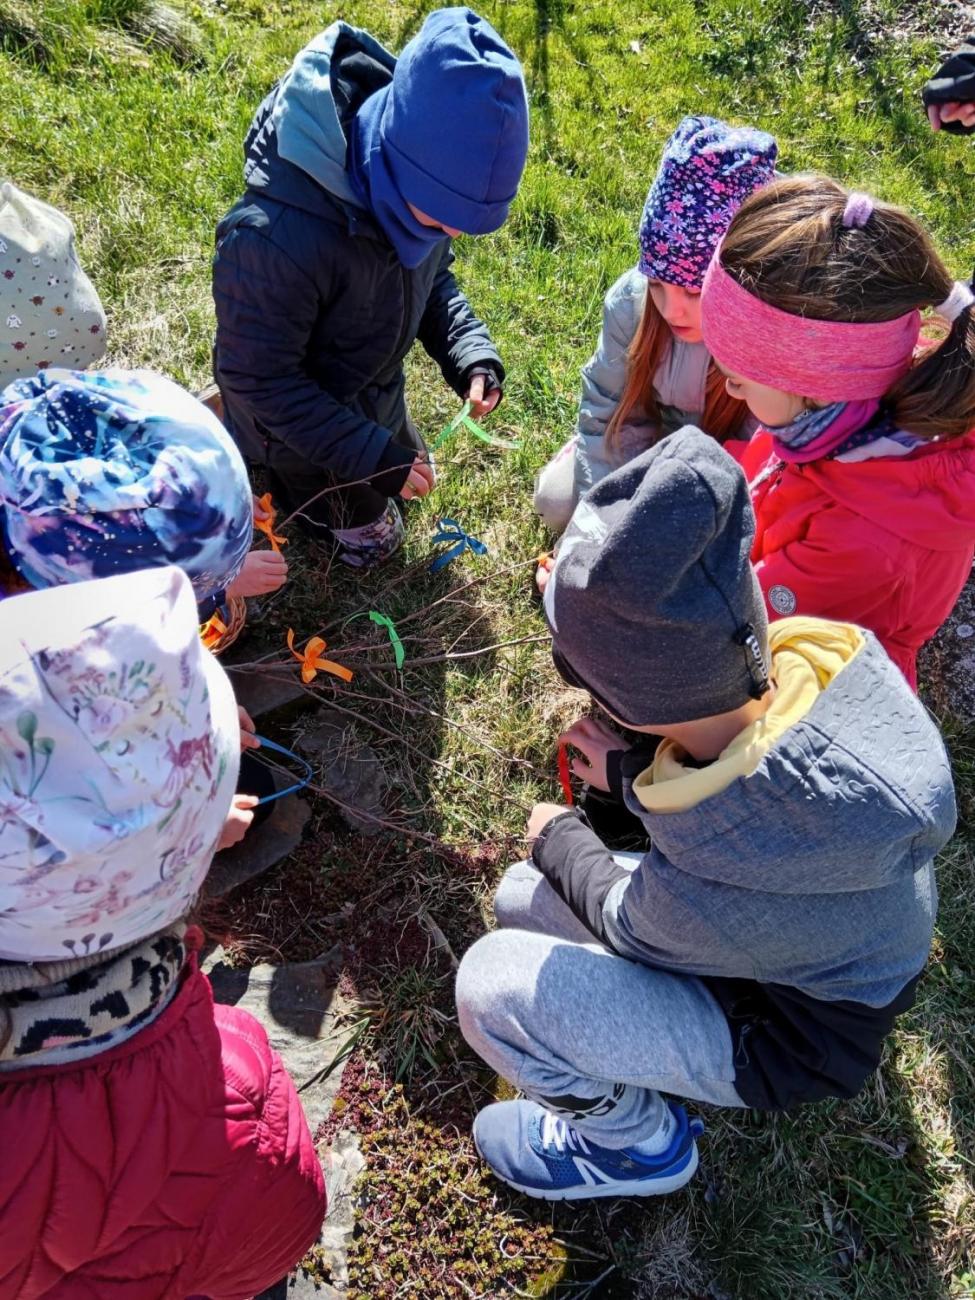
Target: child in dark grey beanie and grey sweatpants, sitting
{"x": 757, "y": 956}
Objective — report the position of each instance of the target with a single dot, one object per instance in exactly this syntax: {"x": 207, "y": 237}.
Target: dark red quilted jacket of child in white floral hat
{"x": 175, "y": 1165}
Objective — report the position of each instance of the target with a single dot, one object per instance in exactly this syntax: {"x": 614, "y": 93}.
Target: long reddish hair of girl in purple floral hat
{"x": 723, "y": 415}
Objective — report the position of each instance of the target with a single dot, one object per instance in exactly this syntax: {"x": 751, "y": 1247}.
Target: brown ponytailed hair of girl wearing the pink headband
{"x": 788, "y": 246}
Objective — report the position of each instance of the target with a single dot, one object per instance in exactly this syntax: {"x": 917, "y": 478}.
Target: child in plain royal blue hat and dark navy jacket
{"x": 361, "y": 171}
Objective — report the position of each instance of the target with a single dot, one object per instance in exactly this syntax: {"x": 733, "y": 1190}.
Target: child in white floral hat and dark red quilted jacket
{"x": 154, "y": 1145}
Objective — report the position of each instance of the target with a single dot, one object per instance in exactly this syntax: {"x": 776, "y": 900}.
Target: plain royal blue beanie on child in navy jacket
{"x": 454, "y": 127}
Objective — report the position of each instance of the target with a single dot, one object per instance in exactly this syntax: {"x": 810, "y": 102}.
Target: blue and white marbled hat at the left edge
{"x": 107, "y": 473}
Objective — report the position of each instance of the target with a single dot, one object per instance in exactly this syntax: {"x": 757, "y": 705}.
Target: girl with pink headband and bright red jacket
{"x": 864, "y": 478}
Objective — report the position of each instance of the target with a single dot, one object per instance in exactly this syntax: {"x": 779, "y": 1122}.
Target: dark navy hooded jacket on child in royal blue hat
{"x": 315, "y": 313}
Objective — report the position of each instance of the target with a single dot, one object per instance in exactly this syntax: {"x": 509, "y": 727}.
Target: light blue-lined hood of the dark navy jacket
{"x": 298, "y": 141}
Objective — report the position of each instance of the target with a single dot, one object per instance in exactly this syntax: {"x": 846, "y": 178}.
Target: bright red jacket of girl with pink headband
{"x": 886, "y": 544}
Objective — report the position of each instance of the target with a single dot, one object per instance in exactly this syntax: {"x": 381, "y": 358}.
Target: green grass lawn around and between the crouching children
{"x": 132, "y": 119}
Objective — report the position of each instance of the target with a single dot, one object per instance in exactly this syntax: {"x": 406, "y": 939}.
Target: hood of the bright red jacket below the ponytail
{"x": 928, "y": 499}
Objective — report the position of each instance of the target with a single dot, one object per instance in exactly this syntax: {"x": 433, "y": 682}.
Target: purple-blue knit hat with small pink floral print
{"x": 708, "y": 171}
